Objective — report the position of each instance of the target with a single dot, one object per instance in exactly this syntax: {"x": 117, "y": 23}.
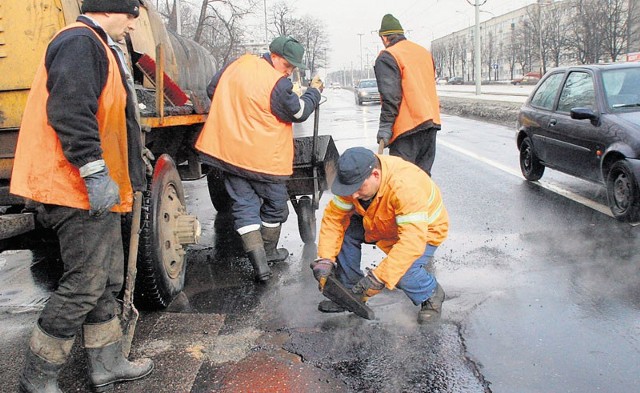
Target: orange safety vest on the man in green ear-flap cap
{"x": 241, "y": 129}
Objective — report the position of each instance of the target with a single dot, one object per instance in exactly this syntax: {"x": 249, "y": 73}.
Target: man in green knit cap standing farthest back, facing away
{"x": 410, "y": 110}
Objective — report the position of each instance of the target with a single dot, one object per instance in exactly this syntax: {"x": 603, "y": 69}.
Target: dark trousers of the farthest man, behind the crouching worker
{"x": 418, "y": 148}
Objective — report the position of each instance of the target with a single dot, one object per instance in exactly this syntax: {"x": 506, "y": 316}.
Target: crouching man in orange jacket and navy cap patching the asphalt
{"x": 389, "y": 202}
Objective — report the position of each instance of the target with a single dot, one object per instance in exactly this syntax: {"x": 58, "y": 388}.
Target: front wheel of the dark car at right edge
{"x": 623, "y": 193}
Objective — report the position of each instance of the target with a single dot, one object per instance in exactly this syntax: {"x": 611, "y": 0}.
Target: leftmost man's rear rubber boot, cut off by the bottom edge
{"x": 46, "y": 356}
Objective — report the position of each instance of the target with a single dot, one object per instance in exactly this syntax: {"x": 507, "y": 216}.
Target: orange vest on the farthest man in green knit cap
{"x": 419, "y": 99}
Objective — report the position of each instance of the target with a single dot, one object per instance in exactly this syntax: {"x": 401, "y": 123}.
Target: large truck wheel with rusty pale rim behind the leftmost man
{"x": 161, "y": 258}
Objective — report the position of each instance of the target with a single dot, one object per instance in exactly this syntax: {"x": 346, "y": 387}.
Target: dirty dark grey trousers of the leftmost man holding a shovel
{"x": 91, "y": 250}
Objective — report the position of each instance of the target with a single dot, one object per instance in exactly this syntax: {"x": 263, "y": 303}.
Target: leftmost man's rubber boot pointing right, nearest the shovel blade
{"x": 107, "y": 364}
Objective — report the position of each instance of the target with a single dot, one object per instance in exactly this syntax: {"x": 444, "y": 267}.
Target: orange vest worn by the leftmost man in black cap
{"x": 42, "y": 173}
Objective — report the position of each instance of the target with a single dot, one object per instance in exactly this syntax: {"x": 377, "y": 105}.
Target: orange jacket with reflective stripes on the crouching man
{"x": 404, "y": 216}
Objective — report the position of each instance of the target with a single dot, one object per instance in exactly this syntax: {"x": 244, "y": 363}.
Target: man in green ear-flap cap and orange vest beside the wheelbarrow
{"x": 249, "y": 136}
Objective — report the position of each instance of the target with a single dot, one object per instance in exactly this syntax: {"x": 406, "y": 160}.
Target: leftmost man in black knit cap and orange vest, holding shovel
{"x": 78, "y": 161}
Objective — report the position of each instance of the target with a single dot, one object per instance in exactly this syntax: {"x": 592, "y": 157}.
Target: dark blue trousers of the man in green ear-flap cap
{"x": 254, "y": 202}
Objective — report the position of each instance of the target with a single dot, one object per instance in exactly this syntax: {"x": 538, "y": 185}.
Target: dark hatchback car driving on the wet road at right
{"x": 585, "y": 121}
